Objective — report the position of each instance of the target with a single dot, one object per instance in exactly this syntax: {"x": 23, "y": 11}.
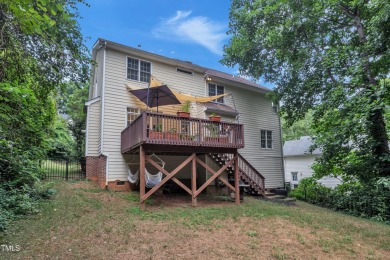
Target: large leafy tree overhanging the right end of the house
{"x": 331, "y": 56}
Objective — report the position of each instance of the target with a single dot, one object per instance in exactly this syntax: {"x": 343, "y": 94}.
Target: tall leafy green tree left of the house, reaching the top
{"x": 41, "y": 48}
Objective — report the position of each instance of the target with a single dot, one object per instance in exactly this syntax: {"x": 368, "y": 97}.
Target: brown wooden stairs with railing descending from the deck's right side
{"x": 248, "y": 174}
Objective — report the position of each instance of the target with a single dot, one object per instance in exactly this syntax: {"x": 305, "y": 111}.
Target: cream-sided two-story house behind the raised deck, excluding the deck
{"x": 111, "y": 108}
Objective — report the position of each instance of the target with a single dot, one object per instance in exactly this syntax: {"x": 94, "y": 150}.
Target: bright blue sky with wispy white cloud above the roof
{"x": 192, "y": 30}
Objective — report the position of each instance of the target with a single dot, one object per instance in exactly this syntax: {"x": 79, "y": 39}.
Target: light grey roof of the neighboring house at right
{"x": 299, "y": 147}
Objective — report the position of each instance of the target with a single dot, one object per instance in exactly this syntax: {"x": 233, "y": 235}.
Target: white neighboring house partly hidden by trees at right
{"x": 298, "y": 159}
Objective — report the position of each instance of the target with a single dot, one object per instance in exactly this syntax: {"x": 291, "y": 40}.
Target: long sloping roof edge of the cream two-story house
{"x": 182, "y": 64}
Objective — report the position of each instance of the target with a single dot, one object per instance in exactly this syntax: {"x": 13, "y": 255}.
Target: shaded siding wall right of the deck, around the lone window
{"x": 255, "y": 114}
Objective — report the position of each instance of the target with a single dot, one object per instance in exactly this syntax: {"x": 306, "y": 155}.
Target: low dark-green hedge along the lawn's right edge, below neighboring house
{"x": 368, "y": 200}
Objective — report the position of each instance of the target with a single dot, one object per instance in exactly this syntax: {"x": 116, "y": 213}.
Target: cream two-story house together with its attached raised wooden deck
{"x": 116, "y": 132}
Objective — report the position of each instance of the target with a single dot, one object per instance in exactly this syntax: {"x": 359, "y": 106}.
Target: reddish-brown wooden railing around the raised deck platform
{"x": 154, "y": 128}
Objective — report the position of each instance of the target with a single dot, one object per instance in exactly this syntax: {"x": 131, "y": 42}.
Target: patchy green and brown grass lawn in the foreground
{"x": 83, "y": 222}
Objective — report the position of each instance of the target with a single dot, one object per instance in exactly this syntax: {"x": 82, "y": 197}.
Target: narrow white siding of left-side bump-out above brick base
{"x": 93, "y": 129}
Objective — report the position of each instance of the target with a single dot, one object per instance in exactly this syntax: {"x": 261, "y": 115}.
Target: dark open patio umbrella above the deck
{"x": 156, "y": 96}
